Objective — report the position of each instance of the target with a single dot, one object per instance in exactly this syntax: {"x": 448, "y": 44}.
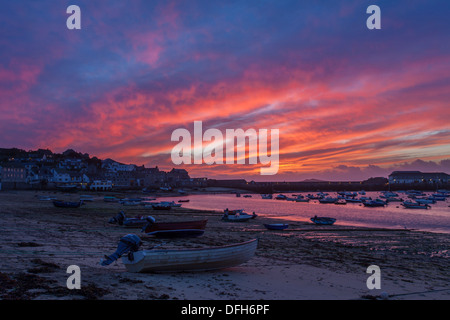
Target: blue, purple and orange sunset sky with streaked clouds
{"x": 350, "y": 103}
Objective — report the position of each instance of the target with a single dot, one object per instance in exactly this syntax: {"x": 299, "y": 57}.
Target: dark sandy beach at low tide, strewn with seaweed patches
{"x": 304, "y": 262}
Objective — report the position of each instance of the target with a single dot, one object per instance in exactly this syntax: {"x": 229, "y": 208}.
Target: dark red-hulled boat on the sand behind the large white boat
{"x": 175, "y": 229}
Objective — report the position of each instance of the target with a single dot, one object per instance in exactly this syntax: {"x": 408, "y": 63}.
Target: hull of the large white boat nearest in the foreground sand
{"x": 198, "y": 259}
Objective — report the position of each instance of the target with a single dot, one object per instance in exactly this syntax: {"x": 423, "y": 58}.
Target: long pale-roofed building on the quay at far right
{"x": 417, "y": 177}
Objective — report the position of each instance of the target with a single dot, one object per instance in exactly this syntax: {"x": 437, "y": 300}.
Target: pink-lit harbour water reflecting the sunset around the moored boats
{"x": 394, "y": 215}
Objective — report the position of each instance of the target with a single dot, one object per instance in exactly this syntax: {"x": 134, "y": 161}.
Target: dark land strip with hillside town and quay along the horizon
{"x": 44, "y": 170}
